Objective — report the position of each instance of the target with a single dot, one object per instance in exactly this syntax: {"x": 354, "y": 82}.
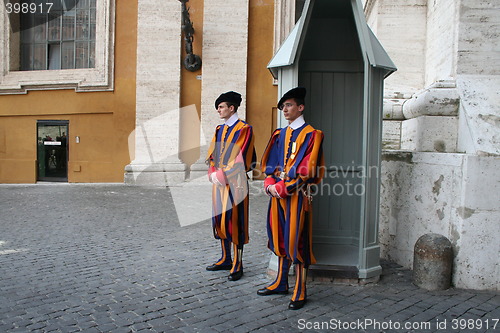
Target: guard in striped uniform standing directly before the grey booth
{"x": 293, "y": 161}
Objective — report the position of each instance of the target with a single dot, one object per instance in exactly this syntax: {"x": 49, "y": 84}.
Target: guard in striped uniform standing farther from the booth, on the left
{"x": 230, "y": 156}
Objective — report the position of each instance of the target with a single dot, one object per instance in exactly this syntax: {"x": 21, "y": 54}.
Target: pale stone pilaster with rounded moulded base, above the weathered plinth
{"x": 432, "y": 123}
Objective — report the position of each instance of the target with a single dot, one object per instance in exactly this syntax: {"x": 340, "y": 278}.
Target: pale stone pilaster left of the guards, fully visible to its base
{"x": 154, "y": 145}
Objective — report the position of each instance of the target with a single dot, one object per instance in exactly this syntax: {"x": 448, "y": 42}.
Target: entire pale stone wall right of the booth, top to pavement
{"x": 445, "y": 178}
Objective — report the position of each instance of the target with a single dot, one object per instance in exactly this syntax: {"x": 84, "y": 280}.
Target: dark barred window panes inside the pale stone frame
{"x": 63, "y": 40}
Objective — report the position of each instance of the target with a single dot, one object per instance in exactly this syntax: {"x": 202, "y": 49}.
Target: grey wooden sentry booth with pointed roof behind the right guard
{"x": 333, "y": 54}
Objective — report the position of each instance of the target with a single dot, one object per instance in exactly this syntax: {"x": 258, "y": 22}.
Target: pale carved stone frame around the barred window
{"x": 99, "y": 78}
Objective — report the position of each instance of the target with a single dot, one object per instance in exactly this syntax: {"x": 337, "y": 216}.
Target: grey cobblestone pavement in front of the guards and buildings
{"x": 113, "y": 258}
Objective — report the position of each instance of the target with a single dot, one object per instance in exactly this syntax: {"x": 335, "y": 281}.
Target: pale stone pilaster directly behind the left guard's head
{"x": 225, "y": 43}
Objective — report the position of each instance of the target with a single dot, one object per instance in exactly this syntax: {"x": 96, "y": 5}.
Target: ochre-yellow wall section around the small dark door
{"x": 102, "y": 120}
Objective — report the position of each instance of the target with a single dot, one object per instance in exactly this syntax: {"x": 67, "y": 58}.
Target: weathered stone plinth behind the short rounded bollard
{"x": 455, "y": 195}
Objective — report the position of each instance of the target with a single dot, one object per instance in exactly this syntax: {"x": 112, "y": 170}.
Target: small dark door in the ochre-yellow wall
{"x": 52, "y": 150}
